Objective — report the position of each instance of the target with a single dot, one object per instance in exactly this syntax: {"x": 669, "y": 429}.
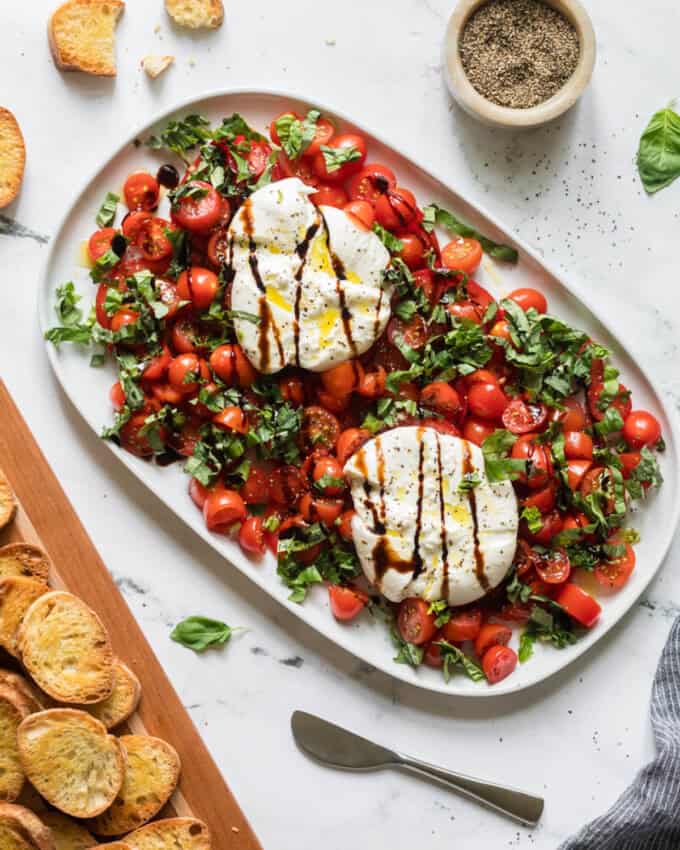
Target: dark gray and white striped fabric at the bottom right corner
{"x": 647, "y": 815}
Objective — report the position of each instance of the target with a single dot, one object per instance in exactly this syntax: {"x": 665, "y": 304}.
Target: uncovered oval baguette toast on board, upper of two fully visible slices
{"x": 66, "y": 649}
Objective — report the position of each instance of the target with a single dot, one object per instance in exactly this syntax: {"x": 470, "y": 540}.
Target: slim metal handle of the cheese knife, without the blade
{"x": 517, "y": 804}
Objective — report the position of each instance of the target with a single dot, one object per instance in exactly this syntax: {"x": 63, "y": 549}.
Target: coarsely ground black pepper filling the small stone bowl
{"x": 518, "y": 53}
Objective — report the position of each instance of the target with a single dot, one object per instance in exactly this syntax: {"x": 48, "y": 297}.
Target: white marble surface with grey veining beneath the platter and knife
{"x": 571, "y": 190}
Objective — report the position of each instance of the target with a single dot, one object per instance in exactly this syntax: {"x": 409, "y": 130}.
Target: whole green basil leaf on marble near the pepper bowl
{"x": 658, "y": 157}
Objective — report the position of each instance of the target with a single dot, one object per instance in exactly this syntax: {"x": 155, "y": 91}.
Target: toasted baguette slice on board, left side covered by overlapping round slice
{"x": 151, "y": 776}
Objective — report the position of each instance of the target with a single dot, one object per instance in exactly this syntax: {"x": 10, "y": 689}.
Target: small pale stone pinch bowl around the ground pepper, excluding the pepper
{"x": 491, "y": 113}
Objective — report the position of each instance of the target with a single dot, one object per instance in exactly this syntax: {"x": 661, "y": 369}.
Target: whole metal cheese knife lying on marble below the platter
{"x": 340, "y": 748}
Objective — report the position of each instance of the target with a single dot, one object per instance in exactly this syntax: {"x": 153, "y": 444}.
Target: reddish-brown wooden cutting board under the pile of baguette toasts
{"x": 45, "y": 518}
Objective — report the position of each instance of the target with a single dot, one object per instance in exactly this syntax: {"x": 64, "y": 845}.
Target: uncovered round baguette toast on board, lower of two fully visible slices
{"x": 71, "y": 760}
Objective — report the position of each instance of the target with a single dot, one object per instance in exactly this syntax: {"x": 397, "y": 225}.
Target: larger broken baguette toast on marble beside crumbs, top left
{"x": 82, "y": 36}
